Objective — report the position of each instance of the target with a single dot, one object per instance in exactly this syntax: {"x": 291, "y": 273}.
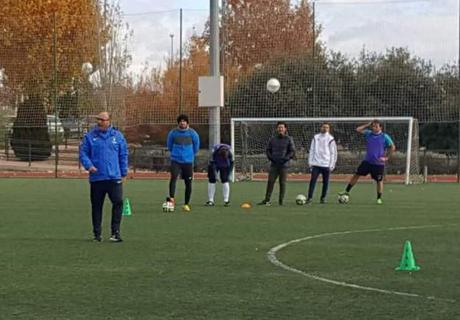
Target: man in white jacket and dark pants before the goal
{"x": 321, "y": 160}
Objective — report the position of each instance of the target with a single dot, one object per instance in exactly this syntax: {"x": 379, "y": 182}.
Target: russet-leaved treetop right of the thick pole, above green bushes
{"x": 255, "y": 32}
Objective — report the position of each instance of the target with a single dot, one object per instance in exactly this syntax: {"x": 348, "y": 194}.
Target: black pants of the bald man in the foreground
{"x": 99, "y": 189}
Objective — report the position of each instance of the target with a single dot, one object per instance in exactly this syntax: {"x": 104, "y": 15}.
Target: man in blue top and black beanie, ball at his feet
{"x": 183, "y": 143}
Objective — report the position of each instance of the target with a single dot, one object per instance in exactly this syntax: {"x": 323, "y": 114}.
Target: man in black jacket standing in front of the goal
{"x": 280, "y": 150}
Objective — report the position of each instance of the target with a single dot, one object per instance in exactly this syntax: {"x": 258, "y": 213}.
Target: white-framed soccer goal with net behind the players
{"x": 249, "y": 138}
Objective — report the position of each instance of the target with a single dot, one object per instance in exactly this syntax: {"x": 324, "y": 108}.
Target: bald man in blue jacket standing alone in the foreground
{"x": 104, "y": 153}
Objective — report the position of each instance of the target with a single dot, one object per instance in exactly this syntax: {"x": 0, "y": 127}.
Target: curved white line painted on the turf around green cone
{"x": 271, "y": 255}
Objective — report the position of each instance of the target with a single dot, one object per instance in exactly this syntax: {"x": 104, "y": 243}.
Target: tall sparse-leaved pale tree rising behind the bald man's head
{"x": 102, "y": 87}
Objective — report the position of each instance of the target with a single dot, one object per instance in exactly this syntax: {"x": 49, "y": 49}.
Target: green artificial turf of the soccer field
{"x": 212, "y": 263}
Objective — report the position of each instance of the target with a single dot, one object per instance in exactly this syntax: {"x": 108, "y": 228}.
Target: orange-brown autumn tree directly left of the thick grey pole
{"x": 156, "y": 97}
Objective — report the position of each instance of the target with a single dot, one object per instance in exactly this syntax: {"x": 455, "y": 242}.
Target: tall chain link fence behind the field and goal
{"x": 59, "y": 69}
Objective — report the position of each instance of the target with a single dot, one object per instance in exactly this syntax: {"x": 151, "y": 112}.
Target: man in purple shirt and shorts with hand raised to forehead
{"x": 379, "y": 147}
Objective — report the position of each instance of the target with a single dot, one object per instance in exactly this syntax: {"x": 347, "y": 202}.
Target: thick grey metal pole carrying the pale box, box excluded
{"x": 214, "y": 63}
